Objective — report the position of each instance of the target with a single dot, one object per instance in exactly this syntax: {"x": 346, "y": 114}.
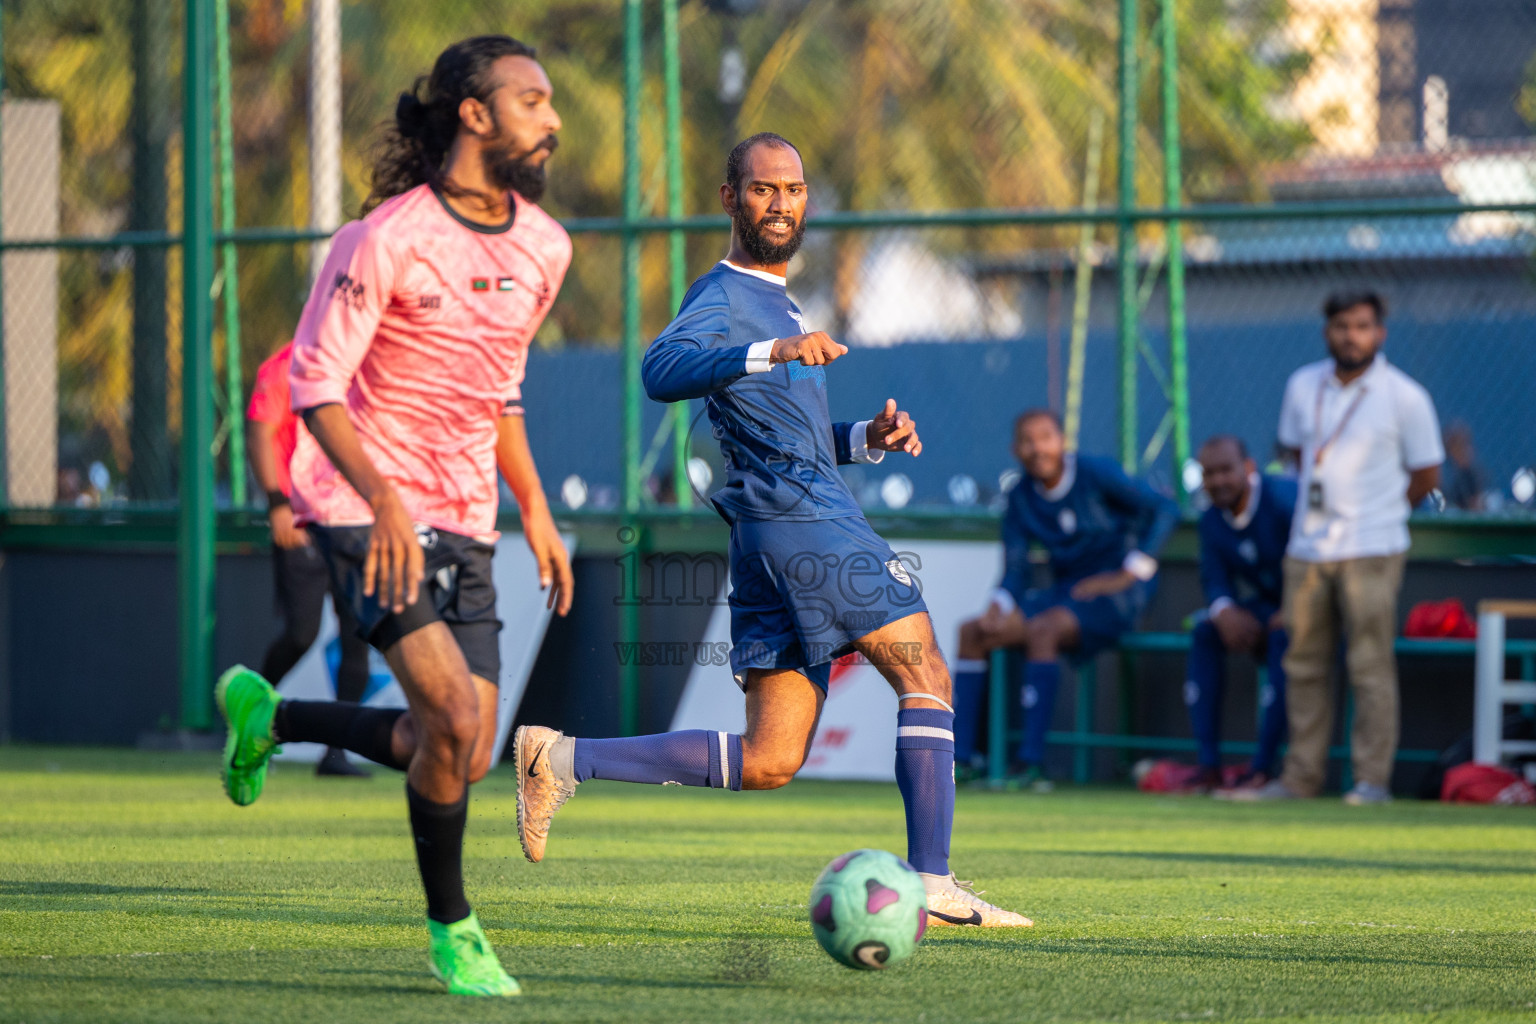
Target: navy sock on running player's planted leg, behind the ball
{"x": 925, "y": 773}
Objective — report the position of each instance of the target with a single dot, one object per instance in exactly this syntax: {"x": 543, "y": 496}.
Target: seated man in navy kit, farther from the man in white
{"x": 1102, "y": 533}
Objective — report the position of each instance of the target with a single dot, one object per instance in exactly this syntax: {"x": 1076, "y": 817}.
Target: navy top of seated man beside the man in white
{"x": 1243, "y": 561}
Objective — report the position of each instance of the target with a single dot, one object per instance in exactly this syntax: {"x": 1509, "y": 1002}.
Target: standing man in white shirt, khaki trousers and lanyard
{"x": 1368, "y": 446}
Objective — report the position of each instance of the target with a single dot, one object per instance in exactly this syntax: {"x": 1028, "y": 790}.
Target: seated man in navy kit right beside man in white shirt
{"x": 1242, "y": 552}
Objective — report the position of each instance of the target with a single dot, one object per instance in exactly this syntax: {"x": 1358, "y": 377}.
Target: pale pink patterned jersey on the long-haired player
{"x": 420, "y": 325}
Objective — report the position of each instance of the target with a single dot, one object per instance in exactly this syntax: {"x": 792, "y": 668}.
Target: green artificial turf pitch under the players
{"x": 133, "y": 891}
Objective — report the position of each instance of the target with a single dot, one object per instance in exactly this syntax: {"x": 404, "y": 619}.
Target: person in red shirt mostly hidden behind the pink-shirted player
{"x": 300, "y": 576}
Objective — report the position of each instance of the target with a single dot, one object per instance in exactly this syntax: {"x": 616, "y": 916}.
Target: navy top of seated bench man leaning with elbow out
{"x": 1093, "y": 520}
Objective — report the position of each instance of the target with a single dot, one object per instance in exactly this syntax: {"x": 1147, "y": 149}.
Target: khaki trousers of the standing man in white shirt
{"x": 1360, "y": 600}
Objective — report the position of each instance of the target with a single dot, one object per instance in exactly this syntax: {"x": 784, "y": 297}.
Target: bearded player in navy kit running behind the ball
{"x": 810, "y": 580}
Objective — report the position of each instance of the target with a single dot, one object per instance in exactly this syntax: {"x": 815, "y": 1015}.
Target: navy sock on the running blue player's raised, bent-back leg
{"x": 697, "y": 758}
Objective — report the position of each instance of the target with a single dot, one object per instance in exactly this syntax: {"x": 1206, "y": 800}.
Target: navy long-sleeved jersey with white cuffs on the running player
{"x": 780, "y": 441}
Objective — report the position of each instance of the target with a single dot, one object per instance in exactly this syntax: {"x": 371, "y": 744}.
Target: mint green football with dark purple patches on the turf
{"x": 869, "y": 910}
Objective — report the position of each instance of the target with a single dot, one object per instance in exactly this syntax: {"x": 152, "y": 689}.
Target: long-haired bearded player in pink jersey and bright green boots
{"x": 408, "y": 368}
